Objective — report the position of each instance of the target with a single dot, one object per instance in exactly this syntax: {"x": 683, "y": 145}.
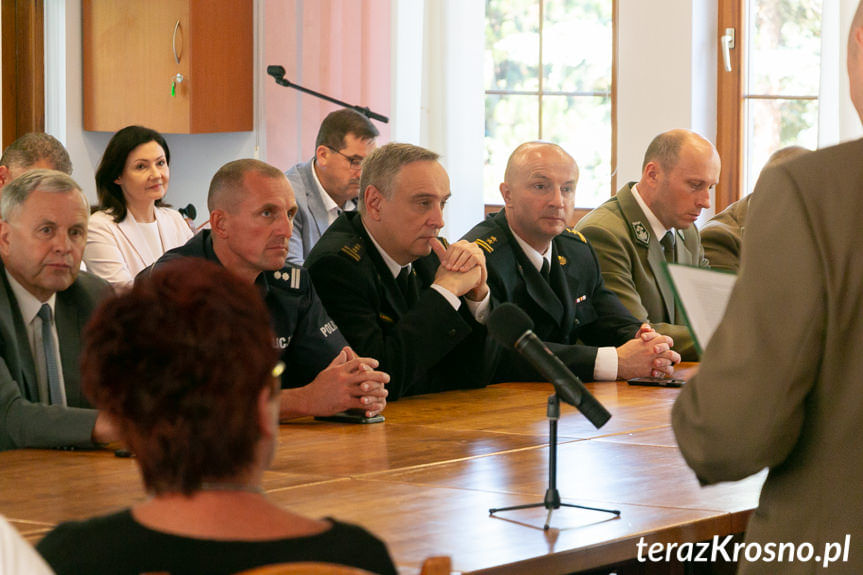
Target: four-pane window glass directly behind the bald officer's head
{"x": 549, "y": 75}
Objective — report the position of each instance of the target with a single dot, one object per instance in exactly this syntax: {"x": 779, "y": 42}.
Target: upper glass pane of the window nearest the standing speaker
{"x": 784, "y": 47}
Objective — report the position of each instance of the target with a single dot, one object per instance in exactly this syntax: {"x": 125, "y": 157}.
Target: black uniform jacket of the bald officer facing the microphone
{"x": 573, "y": 312}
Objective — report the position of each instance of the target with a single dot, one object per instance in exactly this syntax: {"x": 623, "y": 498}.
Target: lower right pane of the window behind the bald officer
{"x": 582, "y": 125}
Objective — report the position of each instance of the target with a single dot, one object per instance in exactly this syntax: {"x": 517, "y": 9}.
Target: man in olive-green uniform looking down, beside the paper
{"x": 651, "y": 222}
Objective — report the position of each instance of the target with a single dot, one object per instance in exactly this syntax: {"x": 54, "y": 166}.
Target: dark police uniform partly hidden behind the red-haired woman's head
{"x": 307, "y": 337}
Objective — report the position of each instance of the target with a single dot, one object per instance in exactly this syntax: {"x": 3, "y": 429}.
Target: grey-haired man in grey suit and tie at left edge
{"x": 45, "y": 301}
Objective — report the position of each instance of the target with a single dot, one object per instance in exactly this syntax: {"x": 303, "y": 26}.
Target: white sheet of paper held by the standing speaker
{"x": 702, "y": 294}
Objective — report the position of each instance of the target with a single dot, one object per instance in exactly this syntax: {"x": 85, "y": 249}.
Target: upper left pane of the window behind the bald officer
{"x": 512, "y": 45}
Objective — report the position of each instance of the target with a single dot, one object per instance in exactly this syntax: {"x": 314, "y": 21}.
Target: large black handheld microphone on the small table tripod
{"x": 511, "y": 327}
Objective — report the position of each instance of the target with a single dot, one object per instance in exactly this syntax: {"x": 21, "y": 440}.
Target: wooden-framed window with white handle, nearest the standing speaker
{"x": 770, "y": 98}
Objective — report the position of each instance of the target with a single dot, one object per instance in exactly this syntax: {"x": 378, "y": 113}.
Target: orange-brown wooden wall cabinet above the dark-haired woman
{"x": 133, "y": 51}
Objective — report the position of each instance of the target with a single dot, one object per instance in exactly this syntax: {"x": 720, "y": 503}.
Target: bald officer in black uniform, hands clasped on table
{"x": 552, "y": 273}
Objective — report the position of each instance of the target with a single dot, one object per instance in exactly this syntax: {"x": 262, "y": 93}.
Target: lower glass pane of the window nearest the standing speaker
{"x": 774, "y": 124}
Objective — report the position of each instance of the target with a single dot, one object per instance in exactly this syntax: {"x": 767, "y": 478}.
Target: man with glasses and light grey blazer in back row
{"x": 329, "y": 183}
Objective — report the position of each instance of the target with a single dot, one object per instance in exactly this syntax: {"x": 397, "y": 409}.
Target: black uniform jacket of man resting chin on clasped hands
{"x": 424, "y": 345}
